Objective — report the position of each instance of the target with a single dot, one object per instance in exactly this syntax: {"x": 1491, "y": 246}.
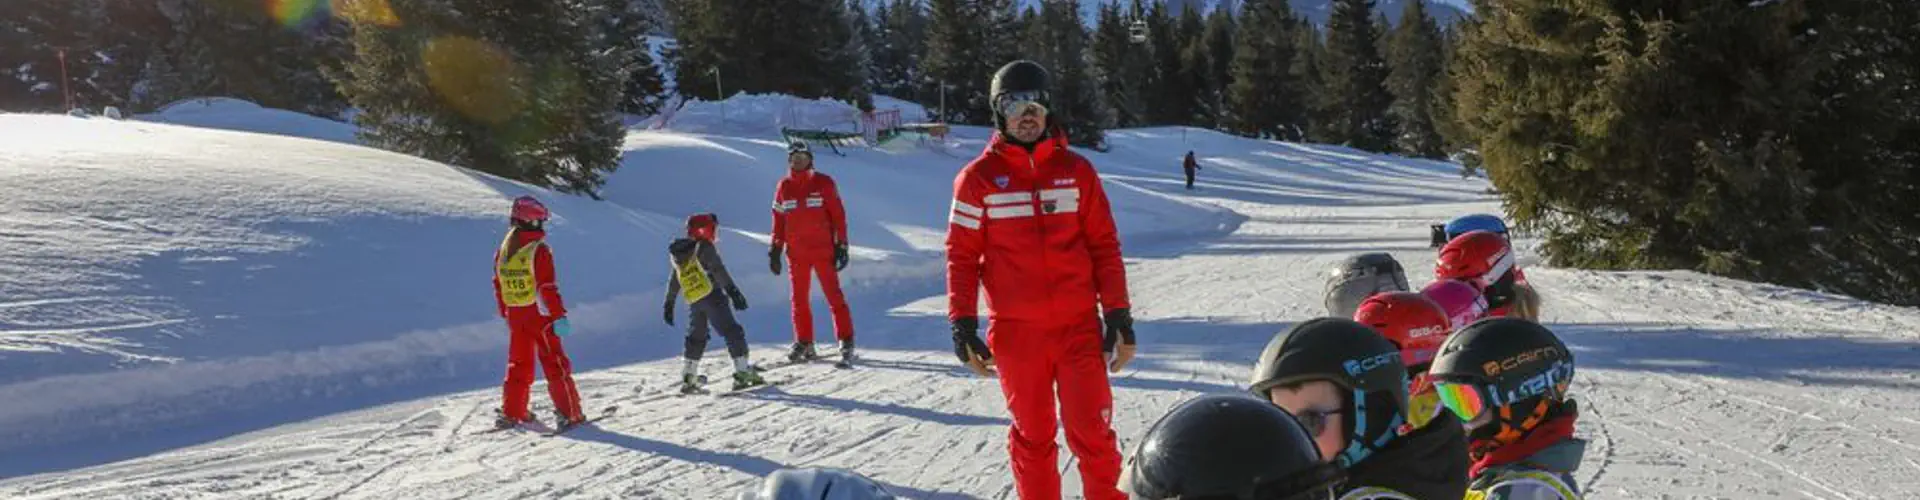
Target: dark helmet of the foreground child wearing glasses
{"x": 1356, "y": 359}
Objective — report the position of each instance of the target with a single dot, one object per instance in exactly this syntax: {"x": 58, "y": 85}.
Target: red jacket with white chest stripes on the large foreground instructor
{"x": 1036, "y": 232}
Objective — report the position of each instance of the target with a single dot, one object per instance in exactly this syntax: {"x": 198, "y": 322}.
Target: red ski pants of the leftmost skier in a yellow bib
{"x": 533, "y": 337}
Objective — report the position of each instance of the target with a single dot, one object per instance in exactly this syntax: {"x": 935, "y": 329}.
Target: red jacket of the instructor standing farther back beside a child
{"x": 807, "y": 212}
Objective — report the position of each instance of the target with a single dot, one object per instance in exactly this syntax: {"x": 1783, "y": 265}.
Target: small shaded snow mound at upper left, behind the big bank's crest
{"x": 233, "y": 114}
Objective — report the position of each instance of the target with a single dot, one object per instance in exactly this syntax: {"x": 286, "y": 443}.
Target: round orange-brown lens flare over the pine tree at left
{"x": 475, "y": 78}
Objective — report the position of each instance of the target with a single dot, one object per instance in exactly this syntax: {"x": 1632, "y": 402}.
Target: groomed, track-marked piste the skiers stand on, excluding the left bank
{"x": 1691, "y": 386}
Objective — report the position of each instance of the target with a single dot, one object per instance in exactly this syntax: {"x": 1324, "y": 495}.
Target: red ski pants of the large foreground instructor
{"x": 1036, "y": 364}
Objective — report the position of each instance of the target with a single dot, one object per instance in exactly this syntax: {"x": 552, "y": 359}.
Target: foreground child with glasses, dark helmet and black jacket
{"x": 1349, "y": 386}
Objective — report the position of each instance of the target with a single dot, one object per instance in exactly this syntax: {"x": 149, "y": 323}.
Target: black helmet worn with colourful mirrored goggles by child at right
{"x": 1524, "y": 368}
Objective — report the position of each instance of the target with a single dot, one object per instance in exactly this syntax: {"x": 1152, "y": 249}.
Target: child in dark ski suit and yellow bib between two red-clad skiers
{"x": 700, "y": 276}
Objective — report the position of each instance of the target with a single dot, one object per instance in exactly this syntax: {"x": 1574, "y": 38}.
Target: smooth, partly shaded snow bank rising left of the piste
{"x": 153, "y": 262}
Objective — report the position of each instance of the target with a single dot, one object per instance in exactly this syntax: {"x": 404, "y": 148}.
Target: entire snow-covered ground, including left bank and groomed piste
{"x": 208, "y": 314}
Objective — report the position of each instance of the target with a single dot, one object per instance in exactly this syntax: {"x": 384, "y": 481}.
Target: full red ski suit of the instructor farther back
{"x": 809, "y": 222}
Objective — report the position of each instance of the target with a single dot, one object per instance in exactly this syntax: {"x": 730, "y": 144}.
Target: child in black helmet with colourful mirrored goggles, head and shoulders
{"x": 1508, "y": 382}
